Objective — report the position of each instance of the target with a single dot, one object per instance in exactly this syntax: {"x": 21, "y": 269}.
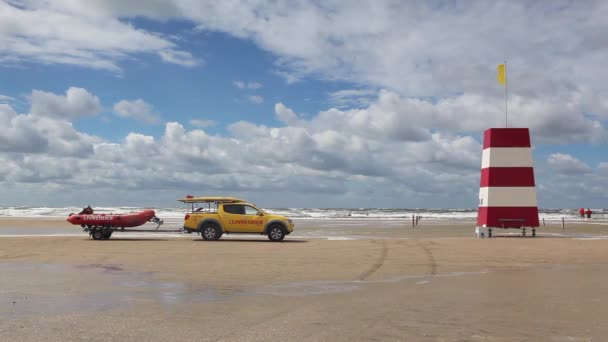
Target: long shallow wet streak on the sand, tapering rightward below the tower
{"x": 38, "y": 288}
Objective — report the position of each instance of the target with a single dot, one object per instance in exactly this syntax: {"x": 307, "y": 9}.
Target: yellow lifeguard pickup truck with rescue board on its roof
{"x": 214, "y": 216}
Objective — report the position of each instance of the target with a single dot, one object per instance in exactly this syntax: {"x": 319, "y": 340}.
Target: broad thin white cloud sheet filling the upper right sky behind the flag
{"x": 406, "y": 47}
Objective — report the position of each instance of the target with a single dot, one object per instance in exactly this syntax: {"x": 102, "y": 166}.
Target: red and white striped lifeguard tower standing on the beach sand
{"x": 507, "y": 193}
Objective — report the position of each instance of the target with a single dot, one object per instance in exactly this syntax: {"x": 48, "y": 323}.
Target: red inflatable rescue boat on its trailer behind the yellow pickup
{"x": 101, "y": 226}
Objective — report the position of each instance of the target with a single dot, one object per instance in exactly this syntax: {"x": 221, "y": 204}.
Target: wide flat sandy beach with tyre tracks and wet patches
{"x": 432, "y": 283}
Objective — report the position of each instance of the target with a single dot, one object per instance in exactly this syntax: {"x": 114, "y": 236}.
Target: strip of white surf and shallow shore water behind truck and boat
{"x": 325, "y": 223}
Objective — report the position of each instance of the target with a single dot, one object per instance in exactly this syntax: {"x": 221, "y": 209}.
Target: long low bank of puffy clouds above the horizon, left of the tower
{"x": 304, "y": 156}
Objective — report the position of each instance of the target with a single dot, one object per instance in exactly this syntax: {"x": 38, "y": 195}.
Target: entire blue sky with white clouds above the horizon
{"x": 342, "y": 104}
